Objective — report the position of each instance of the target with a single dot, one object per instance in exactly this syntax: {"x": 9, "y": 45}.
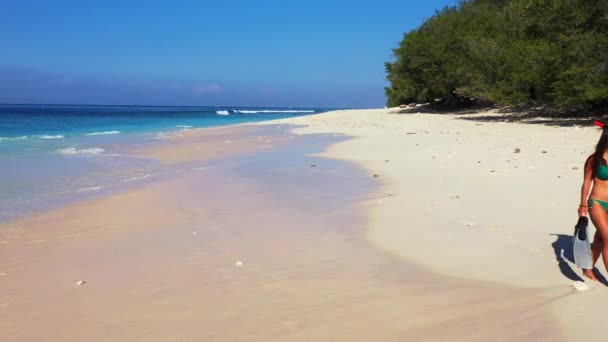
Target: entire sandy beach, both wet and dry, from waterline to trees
{"x": 344, "y": 226}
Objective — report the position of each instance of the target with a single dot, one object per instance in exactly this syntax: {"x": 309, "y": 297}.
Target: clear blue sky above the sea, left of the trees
{"x": 307, "y": 53}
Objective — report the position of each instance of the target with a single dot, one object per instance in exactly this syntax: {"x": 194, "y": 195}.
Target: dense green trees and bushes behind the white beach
{"x": 507, "y": 52}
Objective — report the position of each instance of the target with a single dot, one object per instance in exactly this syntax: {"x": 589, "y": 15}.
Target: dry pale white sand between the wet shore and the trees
{"x": 464, "y": 204}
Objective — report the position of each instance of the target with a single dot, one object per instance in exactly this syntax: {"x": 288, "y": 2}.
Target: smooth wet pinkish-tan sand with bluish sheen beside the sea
{"x": 255, "y": 245}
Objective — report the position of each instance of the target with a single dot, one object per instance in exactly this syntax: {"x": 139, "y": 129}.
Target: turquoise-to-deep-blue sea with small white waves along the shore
{"x": 55, "y": 154}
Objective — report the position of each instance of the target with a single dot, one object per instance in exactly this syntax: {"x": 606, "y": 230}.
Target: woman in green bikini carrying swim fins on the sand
{"x": 596, "y": 203}
